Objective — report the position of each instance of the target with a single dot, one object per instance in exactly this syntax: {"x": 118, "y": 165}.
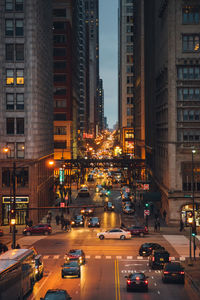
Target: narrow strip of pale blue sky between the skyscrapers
{"x": 108, "y": 52}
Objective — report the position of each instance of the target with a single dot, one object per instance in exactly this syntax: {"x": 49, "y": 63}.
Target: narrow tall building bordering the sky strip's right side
{"x": 126, "y": 74}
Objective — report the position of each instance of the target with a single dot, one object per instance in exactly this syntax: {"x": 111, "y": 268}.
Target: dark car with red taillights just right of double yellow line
{"x": 136, "y": 281}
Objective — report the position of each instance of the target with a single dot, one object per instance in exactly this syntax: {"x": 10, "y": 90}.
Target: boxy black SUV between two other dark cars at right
{"x": 158, "y": 259}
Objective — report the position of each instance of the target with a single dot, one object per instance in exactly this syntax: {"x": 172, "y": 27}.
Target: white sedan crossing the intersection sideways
{"x": 115, "y": 233}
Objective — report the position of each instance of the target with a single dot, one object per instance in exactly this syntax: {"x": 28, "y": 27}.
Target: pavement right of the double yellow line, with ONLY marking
{"x": 157, "y": 289}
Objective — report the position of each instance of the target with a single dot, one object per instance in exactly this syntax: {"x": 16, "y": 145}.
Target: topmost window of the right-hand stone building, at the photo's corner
{"x": 191, "y": 15}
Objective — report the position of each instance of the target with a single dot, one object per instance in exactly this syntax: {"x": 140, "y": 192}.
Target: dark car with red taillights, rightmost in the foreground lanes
{"x": 173, "y": 272}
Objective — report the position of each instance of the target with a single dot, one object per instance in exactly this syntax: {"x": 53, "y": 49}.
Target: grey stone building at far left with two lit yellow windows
{"x": 26, "y": 108}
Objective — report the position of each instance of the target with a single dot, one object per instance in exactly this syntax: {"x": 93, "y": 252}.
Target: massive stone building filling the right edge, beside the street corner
{"x": 172, "y": 103}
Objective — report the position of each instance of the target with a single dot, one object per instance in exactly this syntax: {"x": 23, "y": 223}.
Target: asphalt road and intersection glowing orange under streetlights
{"x": 107, "y": 261}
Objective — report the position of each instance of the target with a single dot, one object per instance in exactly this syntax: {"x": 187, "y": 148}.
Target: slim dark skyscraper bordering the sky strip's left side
{"x": 92, "y": 34}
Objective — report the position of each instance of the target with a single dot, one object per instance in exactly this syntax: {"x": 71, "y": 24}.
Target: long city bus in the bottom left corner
{"x": 17, "y": 276}
